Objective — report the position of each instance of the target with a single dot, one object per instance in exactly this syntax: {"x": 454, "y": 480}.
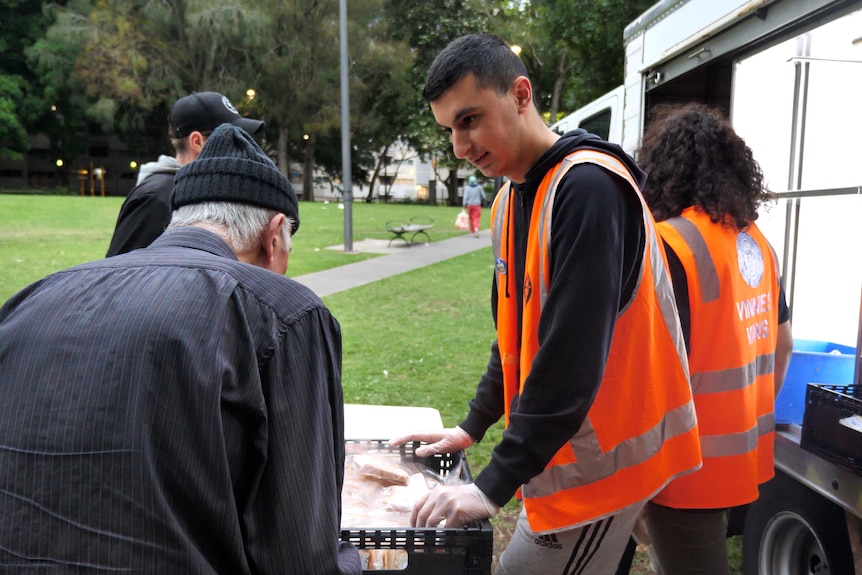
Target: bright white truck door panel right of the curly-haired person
{"x": 798, "y": 106}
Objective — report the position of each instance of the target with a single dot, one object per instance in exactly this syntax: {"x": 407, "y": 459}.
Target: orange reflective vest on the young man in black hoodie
{"x": 626, "y": 451}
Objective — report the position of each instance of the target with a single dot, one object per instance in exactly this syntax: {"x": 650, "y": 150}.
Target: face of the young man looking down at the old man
{"x": 484, "y": 127}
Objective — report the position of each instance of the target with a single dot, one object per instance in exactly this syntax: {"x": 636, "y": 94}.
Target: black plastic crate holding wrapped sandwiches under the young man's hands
{"x": 445, "y": 551}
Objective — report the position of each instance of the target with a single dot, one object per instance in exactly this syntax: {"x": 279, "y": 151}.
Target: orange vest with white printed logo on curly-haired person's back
{"x": 732, "y": 288}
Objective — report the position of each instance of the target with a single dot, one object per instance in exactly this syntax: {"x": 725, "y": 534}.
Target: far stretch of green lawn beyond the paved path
{"x": 41, "y": 234}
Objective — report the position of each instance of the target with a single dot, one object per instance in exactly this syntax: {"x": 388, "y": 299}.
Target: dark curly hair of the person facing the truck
{"x": 693, "y": 157}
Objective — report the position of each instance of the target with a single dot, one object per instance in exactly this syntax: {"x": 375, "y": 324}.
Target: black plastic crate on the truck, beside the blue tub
{"x": 822, "y": 433}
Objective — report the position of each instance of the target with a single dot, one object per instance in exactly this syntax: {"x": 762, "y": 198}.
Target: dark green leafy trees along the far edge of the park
{"x": 118, "y": 65}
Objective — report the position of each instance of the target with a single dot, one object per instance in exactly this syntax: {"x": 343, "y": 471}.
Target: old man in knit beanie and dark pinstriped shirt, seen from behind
{"x": 178, "y": 409}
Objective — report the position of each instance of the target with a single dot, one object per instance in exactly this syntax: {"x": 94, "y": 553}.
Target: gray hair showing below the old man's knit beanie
{"x": 241, "y": 225}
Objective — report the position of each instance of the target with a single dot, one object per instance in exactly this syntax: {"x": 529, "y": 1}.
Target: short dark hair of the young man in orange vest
{"x": 486, "y": 56}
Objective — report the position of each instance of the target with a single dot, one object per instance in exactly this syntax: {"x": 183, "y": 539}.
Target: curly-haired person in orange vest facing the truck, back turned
{"x": 704, "y": 188}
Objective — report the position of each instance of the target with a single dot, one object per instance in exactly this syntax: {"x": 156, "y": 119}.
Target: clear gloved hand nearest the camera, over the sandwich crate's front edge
{"x": 457, "y": 504}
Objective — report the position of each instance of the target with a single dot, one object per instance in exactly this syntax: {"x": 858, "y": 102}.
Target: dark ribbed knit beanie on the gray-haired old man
{"x": 232, "y": 168}
